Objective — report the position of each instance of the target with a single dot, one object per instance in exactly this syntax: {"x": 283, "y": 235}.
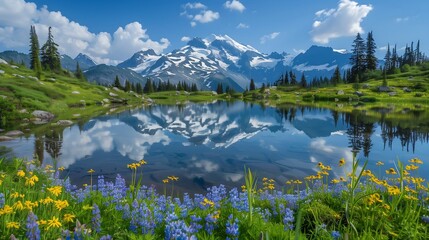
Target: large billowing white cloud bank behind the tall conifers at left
{"x": 16, "y": 16}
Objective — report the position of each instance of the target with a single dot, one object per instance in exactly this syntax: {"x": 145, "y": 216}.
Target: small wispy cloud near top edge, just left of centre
{"x": 199, "y": 13}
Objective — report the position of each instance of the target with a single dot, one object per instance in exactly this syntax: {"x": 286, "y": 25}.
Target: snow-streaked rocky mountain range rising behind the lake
{"x": 221, "y": 59}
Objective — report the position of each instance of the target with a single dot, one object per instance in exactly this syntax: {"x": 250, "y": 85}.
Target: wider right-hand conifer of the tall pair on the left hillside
{"x": 50, "y": 55}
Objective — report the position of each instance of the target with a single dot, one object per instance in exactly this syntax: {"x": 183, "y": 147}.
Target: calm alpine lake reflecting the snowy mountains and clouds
{"x": 211, "y": 143}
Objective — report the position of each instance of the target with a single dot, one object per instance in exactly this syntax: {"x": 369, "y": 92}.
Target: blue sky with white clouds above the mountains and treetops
{"x": 110, "y": 31}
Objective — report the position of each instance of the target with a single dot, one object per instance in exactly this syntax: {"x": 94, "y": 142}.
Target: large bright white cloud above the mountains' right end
{"x": 341, "y": 22}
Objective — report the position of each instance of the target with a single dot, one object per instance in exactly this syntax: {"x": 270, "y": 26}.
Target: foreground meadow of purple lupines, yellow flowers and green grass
{"x": 36, "y": 204}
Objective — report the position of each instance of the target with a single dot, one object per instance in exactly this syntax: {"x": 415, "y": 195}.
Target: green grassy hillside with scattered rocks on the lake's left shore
{"x": 65, "y": 96}
